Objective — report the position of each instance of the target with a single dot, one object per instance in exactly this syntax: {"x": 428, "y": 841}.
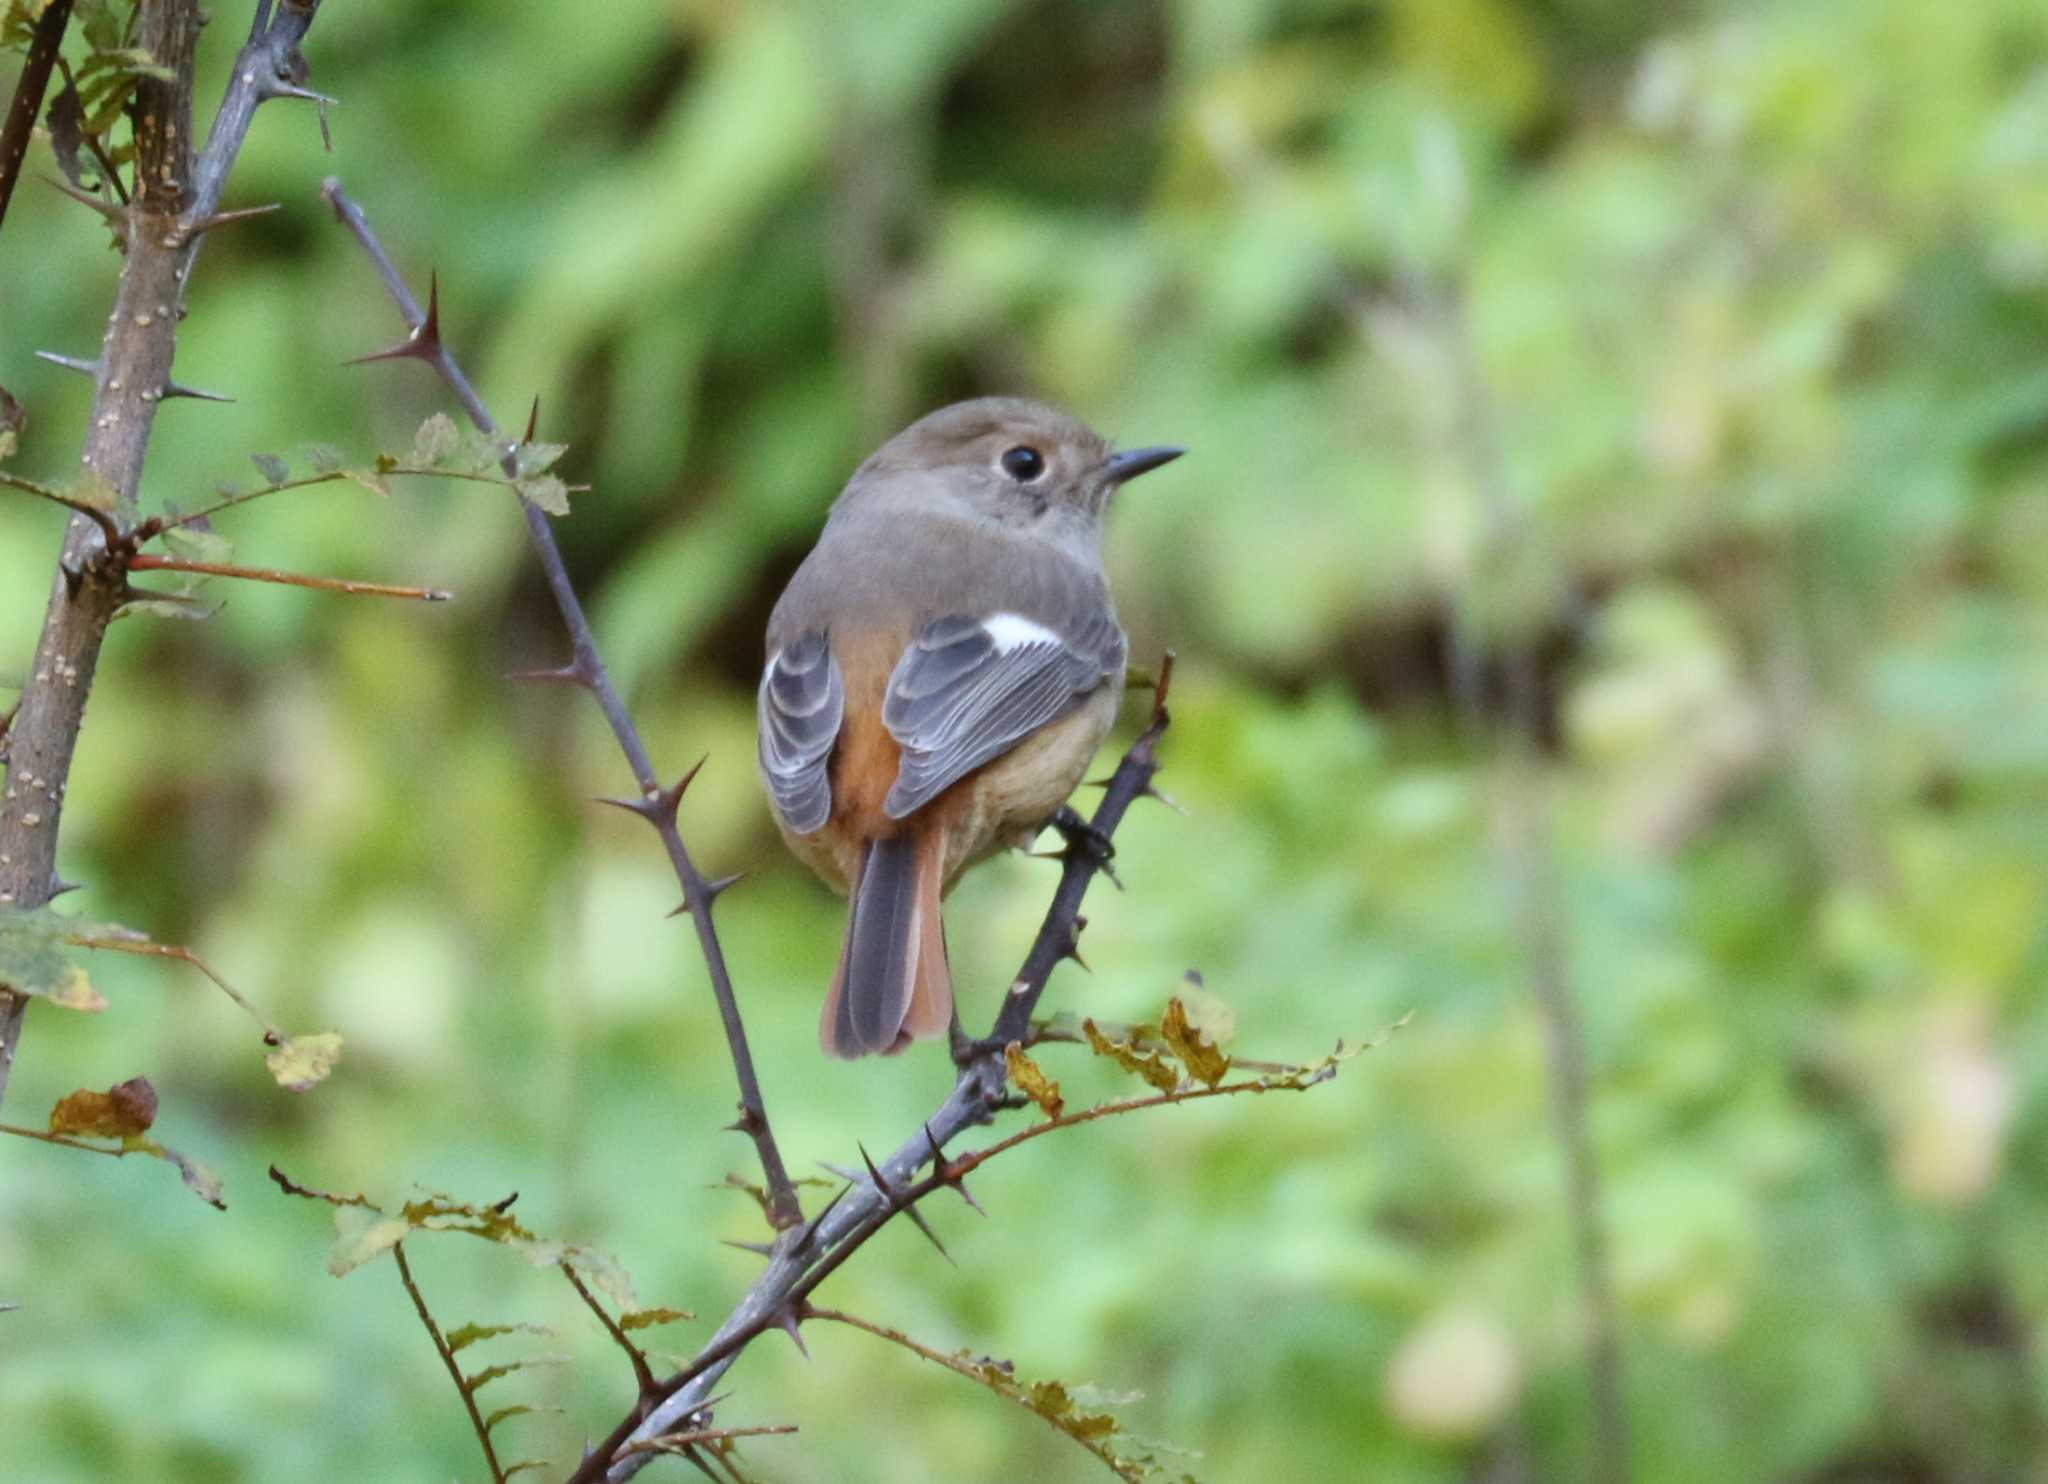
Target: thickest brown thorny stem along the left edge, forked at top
{"x": 175, "y": 204}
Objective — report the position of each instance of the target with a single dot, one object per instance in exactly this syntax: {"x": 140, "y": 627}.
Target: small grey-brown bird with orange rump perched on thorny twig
{"x": 941, "y": 670}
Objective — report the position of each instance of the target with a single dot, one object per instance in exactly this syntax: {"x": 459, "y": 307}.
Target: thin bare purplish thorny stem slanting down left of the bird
{"x": 587, "y": 668}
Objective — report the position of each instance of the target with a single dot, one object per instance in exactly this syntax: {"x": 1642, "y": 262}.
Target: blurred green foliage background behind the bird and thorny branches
{"x": 1674, "y": 369}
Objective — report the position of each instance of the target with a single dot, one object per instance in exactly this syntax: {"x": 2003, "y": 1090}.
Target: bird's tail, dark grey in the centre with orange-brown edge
{"x": 894, "y": 984}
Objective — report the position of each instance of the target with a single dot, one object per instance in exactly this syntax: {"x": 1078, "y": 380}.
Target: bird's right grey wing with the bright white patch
{"x": 974, "y": 689}
